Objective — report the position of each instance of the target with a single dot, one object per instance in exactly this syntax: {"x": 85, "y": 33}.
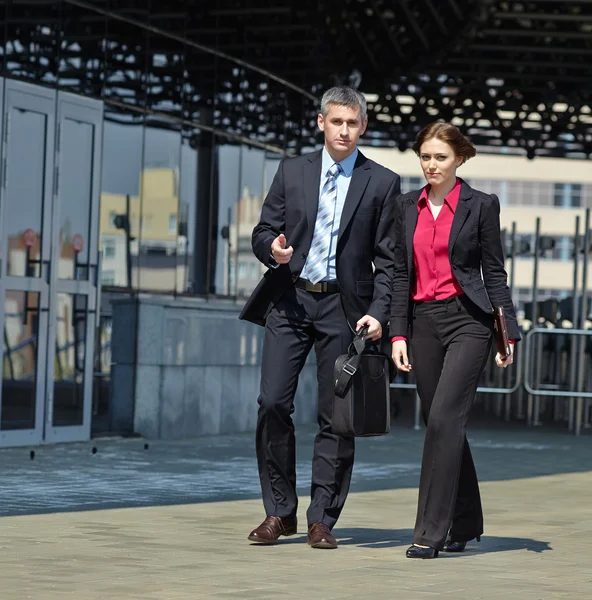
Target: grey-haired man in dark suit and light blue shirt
{"x": 324, "y": 233}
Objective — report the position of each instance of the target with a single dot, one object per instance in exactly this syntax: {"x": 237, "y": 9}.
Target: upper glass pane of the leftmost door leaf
{"x": 25, "y": 174}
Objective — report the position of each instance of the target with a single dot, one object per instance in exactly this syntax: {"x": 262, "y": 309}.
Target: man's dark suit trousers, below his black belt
{"x": 299, "y": 321}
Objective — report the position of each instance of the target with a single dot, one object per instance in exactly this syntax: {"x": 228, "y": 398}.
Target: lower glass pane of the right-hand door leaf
{"x": 70, "y": 353}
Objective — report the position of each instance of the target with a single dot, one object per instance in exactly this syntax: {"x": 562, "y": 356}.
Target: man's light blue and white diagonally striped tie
{"x": 318, "y": 257}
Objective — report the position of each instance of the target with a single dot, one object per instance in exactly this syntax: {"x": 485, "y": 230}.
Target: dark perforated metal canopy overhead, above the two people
{"x": 515, "y": 75}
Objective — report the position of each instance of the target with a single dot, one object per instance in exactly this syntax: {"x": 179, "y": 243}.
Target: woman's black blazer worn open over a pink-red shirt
{"x": 475, "y": 252}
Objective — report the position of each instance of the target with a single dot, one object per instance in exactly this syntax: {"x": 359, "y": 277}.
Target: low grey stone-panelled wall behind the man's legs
{"x": 193, "y": 369}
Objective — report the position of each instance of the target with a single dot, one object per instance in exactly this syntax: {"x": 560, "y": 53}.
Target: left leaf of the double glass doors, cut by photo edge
{"x": 27, "y": 134}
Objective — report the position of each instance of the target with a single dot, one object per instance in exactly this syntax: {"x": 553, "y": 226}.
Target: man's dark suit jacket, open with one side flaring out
{"x": 364, "y": 236}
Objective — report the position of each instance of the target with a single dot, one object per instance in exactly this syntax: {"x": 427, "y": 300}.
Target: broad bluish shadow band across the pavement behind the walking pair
{"x": 120, "y": 473}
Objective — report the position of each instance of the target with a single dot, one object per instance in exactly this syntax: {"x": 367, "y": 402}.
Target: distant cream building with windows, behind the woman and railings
{"x": 554, "y": 190}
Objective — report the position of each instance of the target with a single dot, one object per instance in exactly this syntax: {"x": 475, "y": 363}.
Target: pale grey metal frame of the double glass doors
{"x": 56, "y": 106}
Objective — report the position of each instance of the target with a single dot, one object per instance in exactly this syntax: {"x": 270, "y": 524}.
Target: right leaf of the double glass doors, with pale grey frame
{"x": 74, "y": 269}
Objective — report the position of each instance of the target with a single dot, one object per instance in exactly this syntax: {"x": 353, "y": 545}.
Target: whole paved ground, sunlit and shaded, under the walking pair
{"x": 169, "y": 521}
